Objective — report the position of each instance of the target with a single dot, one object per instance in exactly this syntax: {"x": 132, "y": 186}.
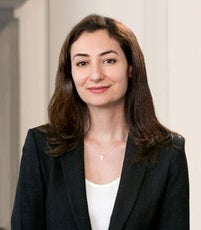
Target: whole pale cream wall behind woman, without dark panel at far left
{"x": 169, "y": 34}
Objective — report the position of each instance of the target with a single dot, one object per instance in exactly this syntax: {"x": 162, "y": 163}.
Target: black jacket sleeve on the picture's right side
{"x": 174, "y": 212}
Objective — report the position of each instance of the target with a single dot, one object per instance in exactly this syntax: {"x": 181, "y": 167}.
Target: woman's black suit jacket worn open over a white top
{"x": 51, "y": 191}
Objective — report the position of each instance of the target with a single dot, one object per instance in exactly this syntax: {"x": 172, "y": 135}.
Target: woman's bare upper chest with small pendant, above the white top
{"x": 103, "y": 164}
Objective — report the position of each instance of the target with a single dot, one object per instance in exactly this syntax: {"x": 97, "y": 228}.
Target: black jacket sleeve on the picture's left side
{"x": 29, "y": 207}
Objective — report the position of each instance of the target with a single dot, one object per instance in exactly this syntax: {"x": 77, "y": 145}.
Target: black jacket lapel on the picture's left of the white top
{"x": 73, "y": 169}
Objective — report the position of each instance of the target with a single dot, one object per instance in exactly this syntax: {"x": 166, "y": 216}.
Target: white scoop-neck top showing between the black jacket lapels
{"x": 101, "y": 198}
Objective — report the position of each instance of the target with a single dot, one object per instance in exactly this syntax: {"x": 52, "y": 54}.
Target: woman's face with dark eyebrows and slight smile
{"x": 99, "y": 69}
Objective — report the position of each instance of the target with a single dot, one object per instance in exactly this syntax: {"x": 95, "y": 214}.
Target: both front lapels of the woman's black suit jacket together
{"x": 131, "y": 180}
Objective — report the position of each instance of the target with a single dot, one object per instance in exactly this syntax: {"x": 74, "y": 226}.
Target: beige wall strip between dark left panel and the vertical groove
{"x": 33, "y": 43}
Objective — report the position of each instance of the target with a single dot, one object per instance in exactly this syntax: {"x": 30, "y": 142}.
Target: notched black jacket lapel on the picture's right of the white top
{"x": 129, "y": 187}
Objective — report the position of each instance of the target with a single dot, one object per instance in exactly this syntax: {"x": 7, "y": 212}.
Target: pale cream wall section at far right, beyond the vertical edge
{"x": 184, "y": 113}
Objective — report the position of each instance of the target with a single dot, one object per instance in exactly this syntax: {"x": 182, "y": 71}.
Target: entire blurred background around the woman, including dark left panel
{"x": 31, "y": 35}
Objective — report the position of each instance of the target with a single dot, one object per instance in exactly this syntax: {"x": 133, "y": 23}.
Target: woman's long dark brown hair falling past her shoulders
{"x": 68, "y": 113}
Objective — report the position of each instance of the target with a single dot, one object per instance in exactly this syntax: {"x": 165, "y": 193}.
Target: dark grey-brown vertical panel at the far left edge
{"x": 9, "y": 119}
